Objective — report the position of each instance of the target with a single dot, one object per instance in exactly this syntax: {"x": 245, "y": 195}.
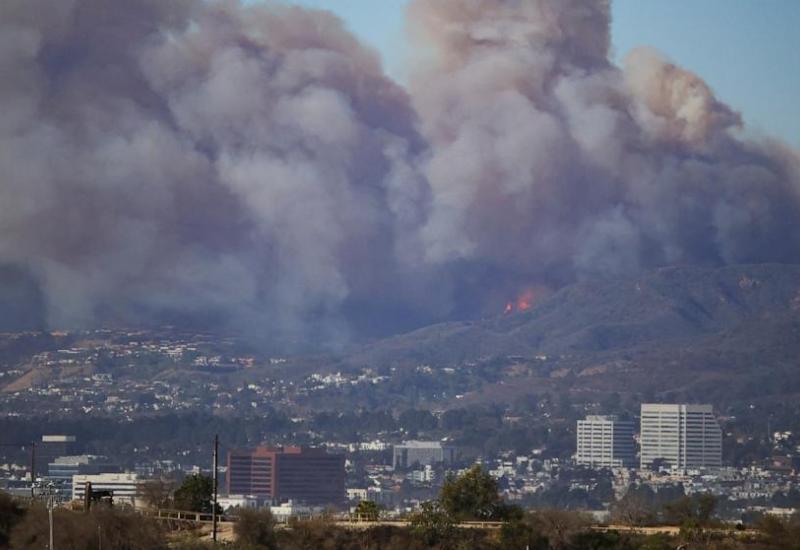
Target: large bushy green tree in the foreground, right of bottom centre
{"x": 473, "y": 496}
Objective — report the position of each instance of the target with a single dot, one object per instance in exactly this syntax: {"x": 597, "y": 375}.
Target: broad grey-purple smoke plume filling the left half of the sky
{"x": 203, "y": 160}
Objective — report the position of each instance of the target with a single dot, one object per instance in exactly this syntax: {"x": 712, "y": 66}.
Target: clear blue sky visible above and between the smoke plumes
{"x": 747, "y": 50}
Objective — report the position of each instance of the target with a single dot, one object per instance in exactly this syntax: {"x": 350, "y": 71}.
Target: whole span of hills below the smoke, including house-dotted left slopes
{"x": 718, "y": 335}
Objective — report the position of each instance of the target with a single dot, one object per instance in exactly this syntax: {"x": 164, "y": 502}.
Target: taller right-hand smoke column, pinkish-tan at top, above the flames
{"x": 547, "y": 160}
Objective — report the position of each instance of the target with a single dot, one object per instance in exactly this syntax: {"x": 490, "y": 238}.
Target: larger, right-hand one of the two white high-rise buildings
{"x": 682, "y": 436}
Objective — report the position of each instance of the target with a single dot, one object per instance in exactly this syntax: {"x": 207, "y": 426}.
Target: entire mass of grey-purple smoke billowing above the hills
{"x": 252, "y": 167}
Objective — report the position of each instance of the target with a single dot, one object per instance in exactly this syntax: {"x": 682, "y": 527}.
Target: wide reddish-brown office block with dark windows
{"x": 310, "y": 476}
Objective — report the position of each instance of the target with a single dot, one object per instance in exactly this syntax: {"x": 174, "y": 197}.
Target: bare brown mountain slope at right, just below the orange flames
{"x": 683, "y": 306}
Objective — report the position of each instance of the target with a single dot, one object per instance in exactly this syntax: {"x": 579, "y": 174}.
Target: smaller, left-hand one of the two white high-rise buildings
{"x": 605, "y": 442}
